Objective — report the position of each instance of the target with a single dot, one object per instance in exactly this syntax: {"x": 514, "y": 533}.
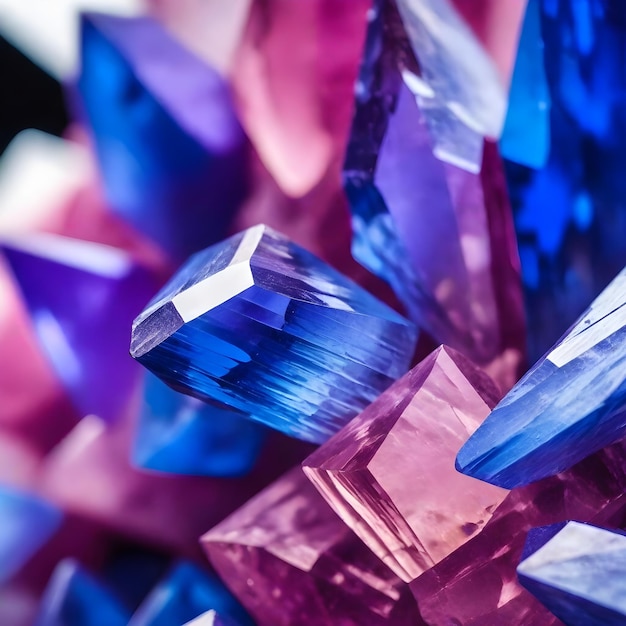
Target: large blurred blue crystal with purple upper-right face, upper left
{"x": 171, "y": 150}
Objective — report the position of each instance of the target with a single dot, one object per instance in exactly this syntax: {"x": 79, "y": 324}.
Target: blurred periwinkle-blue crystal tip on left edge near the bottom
{"x": 26, "y": 524}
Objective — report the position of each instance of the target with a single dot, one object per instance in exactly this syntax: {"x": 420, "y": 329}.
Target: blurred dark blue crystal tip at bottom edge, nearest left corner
{"x": 74, "y": 598}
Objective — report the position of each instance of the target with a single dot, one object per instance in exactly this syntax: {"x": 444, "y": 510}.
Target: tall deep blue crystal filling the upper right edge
{"x": 570, "y": 216}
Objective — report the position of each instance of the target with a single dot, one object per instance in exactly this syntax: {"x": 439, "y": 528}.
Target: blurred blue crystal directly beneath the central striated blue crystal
{"x": 182, "y": 435}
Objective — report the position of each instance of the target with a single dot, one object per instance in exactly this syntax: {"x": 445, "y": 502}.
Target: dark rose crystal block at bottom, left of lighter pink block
{"x": 290, "y": 560}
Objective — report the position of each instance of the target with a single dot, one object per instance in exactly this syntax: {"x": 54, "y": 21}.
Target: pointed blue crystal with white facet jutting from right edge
{"x": 571, "y": 403}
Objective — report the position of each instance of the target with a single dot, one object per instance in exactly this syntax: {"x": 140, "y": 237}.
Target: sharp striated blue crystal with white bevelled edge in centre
{"x": 262, "y": 325}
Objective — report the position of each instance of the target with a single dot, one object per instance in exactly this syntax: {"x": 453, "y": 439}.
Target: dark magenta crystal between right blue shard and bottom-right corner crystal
{"x": 477, "y": 584}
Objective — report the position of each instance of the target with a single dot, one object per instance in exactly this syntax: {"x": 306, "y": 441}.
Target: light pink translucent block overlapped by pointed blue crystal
{"x": 412, "y": 513}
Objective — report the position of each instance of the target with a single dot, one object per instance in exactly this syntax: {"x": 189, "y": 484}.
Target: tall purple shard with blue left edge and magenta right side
{"x": 439, "y": 233}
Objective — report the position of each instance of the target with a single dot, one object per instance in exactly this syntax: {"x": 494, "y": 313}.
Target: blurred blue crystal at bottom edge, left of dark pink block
{"x": 182, "y": 595}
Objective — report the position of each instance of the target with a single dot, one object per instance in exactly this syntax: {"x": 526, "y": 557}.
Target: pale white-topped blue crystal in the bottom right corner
{"x": 579, "y": 575}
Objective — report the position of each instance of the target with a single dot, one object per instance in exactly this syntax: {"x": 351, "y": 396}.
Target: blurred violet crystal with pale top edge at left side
{"x": 82, "y": 298}
